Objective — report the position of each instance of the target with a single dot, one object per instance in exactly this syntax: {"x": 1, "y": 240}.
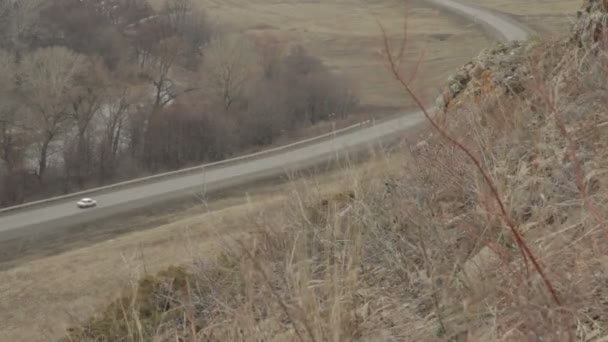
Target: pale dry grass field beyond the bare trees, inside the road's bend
{"x": 344, "y": 34}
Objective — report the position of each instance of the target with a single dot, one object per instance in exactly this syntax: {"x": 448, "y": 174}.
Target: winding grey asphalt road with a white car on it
{"x": 61, "y": 213}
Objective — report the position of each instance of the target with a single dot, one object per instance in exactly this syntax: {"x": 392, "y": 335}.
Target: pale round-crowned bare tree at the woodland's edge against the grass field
{"x": 230, "y": 61}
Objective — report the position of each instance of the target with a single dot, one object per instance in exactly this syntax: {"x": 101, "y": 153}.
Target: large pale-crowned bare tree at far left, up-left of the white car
{"x": 46, "y": 79}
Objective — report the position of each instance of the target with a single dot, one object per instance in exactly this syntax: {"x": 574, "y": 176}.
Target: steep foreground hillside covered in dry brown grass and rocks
{"x": 490, "y": 225}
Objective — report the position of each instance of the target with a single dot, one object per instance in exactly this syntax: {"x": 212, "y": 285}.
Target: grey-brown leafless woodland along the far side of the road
{"x": 94, "y": 92}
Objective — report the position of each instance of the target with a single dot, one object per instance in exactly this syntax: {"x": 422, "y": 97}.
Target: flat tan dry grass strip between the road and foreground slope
{"x": 52, "y": 291}
